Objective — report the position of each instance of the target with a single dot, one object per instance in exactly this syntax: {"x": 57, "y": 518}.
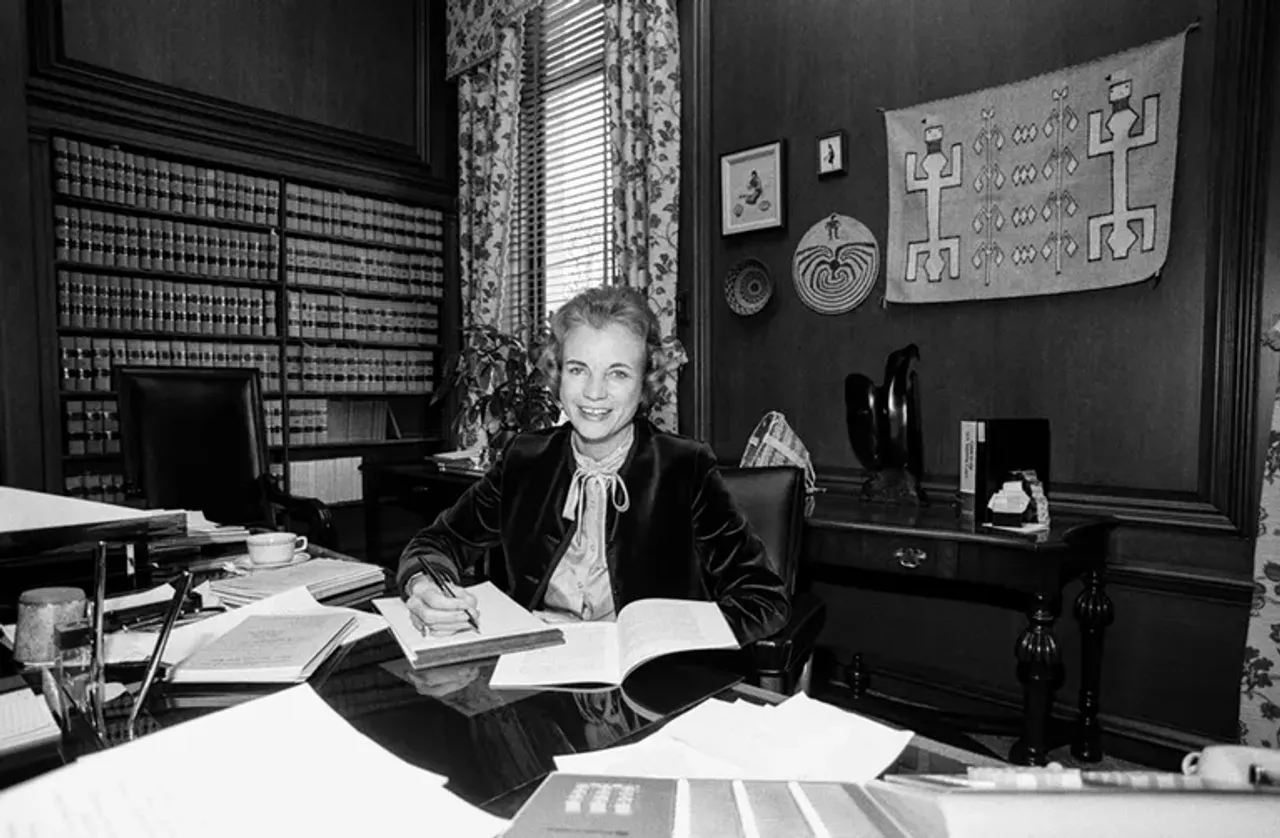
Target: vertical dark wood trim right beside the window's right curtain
{"x": 698, "y": 228}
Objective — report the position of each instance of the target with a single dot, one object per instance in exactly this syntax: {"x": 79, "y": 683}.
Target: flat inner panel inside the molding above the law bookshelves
{"x": 339, "y": 63}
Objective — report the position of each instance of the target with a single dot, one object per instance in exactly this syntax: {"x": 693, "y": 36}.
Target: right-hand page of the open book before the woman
{"x": 656, "y": 628}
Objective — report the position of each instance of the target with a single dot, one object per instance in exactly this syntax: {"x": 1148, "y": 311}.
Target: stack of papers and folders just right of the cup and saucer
{"x": 331, "y": 581}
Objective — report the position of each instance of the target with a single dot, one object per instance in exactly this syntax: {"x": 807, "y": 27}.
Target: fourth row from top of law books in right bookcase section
{"x": 312, "y": 369}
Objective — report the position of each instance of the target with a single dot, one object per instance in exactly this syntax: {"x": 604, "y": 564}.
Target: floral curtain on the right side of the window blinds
{"x": 642, "y": 59}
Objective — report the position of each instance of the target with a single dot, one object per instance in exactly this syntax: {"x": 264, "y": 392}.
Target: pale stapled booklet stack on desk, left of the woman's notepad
{"x": 267, "y": 649}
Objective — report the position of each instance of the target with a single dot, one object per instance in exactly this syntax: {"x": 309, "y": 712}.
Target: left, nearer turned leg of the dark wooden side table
{"x": 1039, "y": 668}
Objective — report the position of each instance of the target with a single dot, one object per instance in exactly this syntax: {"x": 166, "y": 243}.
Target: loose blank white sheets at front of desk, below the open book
{"x": 798, "y": 740}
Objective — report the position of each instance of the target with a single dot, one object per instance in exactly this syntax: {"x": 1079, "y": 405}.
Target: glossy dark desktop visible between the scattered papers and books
{"x": 496, "y": 747}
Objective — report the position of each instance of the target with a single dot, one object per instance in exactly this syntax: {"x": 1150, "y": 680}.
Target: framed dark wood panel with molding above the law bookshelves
{"x": 351, "y": 88}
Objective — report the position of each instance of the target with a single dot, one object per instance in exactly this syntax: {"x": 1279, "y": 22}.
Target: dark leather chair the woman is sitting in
{"x": 772, "y": 501}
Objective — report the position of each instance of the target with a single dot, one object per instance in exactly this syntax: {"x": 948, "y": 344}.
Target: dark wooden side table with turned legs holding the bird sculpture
{"x": 935, "y": 549}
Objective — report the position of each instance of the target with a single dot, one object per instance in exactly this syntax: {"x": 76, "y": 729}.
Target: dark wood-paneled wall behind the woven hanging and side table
{"x": 1151, "y": 390}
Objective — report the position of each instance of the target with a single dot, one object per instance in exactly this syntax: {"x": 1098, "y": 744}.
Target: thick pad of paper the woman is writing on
{"x": 505, "y": 628}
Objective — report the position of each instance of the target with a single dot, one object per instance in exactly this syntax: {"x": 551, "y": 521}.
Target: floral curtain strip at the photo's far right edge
{"x": 1260, "y": 683}
